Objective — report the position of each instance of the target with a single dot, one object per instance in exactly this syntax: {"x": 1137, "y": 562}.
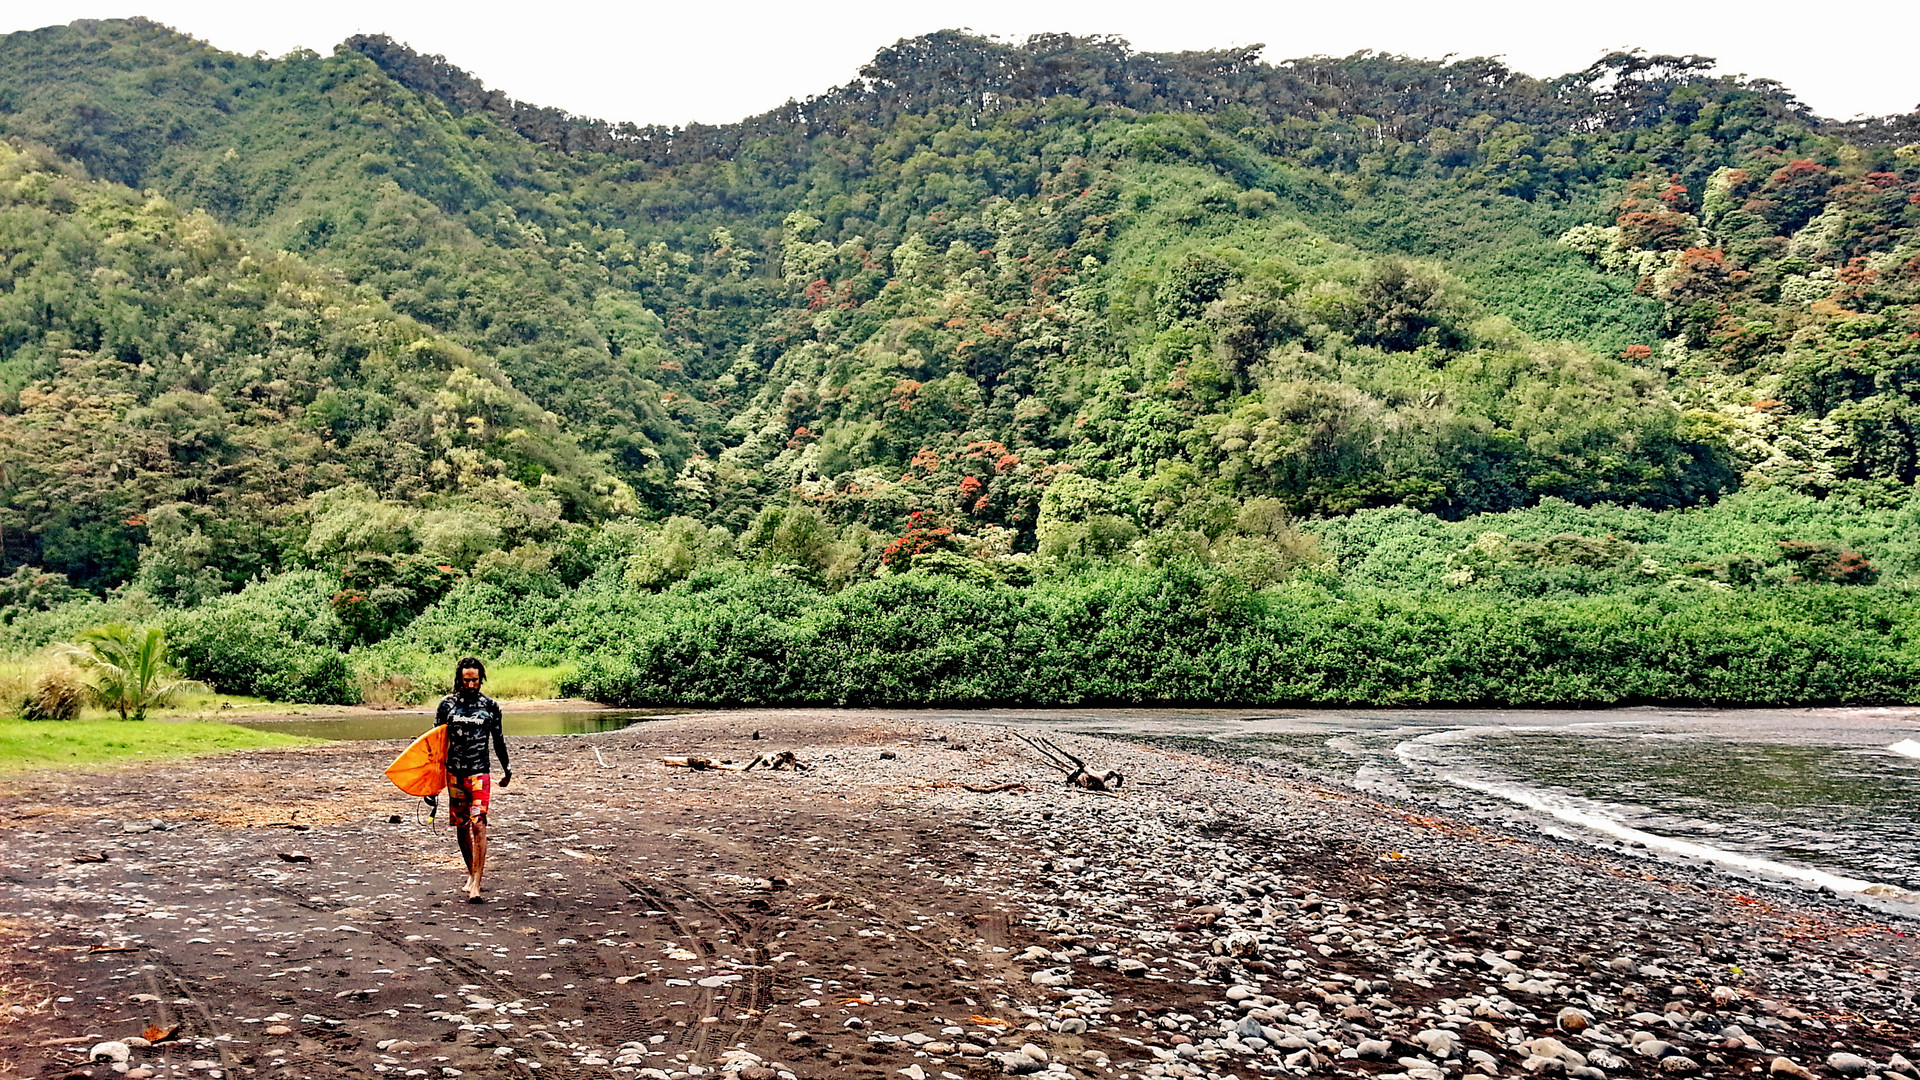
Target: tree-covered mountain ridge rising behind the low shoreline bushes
{"x": 988, "y": 312}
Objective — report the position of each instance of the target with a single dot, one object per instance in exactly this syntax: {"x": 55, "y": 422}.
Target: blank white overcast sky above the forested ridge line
{"x": 719, "y": 62}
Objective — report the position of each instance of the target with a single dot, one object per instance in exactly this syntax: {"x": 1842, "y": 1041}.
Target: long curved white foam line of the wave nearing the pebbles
{"x": 1428, "y": 754}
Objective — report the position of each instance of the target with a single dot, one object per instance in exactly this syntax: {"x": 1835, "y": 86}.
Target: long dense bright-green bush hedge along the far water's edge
{"x": 1188, "y": 635}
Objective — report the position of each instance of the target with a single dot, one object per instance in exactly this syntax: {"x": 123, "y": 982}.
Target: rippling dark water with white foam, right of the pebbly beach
{"x": 1815, "y": 798}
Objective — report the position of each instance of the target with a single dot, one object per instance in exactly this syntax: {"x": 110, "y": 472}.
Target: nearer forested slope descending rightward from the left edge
{"x": 172, "y": 385}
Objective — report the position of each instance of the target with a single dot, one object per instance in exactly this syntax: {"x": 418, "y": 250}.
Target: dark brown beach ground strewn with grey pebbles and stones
{"x": 926, "y": 898}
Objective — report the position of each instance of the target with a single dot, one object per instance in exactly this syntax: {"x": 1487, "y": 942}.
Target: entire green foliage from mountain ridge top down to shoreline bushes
{"x": 1047, "y": 372}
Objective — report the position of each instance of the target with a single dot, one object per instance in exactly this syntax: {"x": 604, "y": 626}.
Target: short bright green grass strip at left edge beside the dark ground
{"x": 64, "y": 745}
